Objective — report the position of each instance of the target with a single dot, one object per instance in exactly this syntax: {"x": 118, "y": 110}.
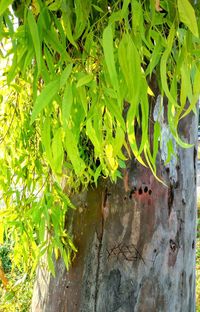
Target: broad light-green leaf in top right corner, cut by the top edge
{"x": 187, "y": 16}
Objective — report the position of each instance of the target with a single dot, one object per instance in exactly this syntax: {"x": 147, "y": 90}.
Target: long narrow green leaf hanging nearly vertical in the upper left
{"x": 36, "y": 39}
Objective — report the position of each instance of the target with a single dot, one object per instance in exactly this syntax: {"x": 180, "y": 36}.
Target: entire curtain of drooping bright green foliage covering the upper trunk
{"x": 76, "y": 89}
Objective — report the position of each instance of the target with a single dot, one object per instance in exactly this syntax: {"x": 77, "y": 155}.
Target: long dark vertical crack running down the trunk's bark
{"x": 105, "y": 211}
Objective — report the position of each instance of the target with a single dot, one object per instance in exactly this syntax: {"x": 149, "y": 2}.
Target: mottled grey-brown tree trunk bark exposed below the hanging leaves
{"x": 136, "y": 243}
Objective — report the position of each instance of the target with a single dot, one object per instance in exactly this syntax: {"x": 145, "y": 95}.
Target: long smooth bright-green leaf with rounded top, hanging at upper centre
{"x": 109, "y": 56}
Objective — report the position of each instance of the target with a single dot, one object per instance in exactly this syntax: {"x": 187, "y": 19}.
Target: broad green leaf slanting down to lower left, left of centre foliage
{"x": 45, "y": 97}
